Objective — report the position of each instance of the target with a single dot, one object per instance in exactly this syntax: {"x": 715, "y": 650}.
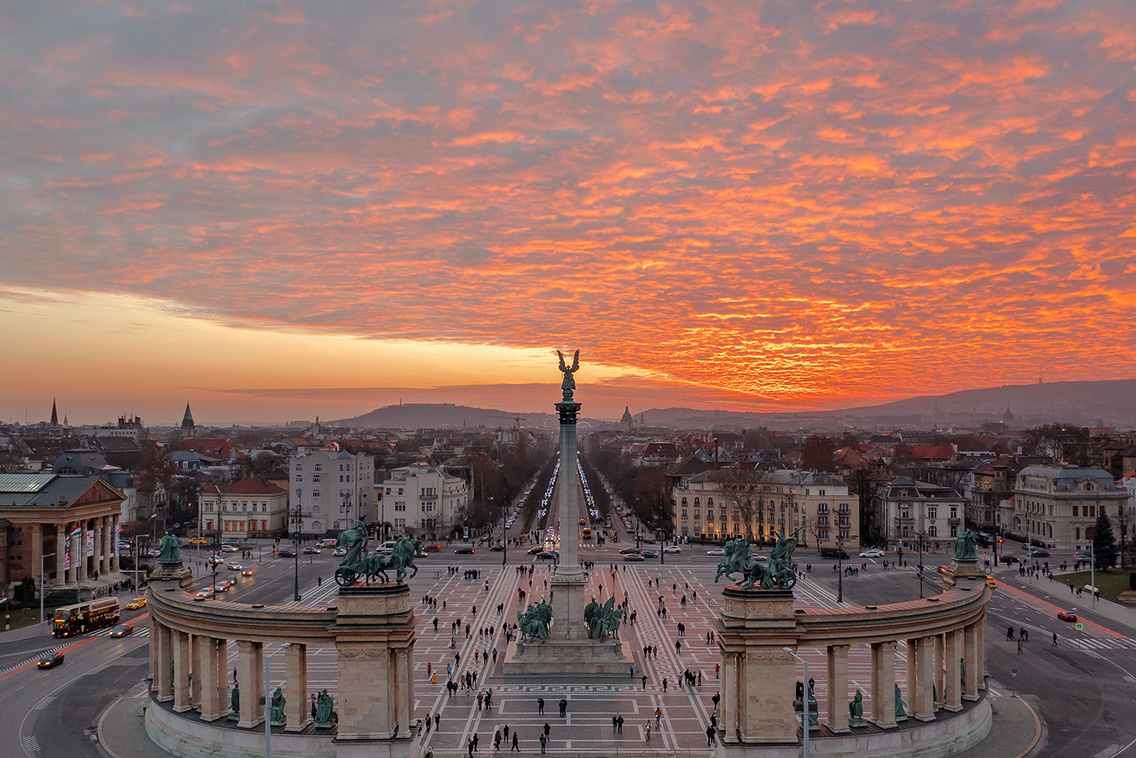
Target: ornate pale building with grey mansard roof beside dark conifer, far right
{"x": 1059, "y": 505}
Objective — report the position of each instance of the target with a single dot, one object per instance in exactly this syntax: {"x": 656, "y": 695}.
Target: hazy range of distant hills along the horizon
{"x": 1112, "y": 403}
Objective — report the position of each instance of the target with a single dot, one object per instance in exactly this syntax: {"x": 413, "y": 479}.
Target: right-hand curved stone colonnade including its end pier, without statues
{"x": 946, "y": 642}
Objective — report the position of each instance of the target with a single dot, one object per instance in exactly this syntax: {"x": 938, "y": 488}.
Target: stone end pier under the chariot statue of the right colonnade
{"x": 759, "y": 676}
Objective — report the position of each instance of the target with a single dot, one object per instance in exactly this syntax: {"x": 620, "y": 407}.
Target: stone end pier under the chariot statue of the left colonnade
{"x": 374, "y": 639}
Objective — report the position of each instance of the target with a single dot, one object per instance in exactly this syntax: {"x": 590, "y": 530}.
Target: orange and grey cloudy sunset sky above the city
{"x": 282, "y": 211}
